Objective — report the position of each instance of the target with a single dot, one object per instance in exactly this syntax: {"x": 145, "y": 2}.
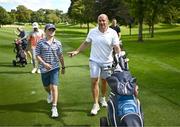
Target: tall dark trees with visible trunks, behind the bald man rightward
{"x": 127, "y": 12}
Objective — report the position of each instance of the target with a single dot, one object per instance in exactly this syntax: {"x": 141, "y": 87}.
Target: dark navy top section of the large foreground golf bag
{"x": 122, "y": 83}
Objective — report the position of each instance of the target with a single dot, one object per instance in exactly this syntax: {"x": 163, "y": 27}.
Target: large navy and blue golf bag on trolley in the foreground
{"x": 124, "y": 107}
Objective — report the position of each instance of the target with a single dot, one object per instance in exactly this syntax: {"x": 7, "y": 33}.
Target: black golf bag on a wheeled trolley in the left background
{"x": 20, "y": 53}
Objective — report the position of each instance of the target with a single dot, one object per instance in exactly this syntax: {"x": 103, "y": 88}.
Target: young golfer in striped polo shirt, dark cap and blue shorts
{"x": 49, "y": 54}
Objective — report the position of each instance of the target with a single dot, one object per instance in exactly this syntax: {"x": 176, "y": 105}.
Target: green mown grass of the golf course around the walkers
{"x": 155, "y": 63}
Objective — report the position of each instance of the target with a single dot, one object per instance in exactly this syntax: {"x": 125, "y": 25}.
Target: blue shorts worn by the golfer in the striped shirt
{"x": 51, "y": 77}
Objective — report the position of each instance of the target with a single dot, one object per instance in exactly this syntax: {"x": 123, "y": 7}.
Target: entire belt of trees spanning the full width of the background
{"x": 127, "y": 12}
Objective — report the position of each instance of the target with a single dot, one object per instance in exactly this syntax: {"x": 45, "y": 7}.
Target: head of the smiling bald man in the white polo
{"x": 103, "y": 22}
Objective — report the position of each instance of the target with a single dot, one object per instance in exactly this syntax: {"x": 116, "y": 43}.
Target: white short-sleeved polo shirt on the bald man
{"x": 102, "y": 44}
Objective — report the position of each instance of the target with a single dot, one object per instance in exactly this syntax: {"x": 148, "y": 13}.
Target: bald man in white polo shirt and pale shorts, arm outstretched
{"x": 102, "y": 40}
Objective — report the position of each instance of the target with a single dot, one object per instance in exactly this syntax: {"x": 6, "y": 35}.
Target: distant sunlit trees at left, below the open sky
{"x": 23, "y": 15}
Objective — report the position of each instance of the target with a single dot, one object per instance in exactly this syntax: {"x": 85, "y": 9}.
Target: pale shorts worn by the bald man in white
{"x": 99, "y": 69}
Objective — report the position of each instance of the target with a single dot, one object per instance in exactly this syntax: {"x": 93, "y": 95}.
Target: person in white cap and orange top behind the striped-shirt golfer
{"x": 34, "y": 36}
